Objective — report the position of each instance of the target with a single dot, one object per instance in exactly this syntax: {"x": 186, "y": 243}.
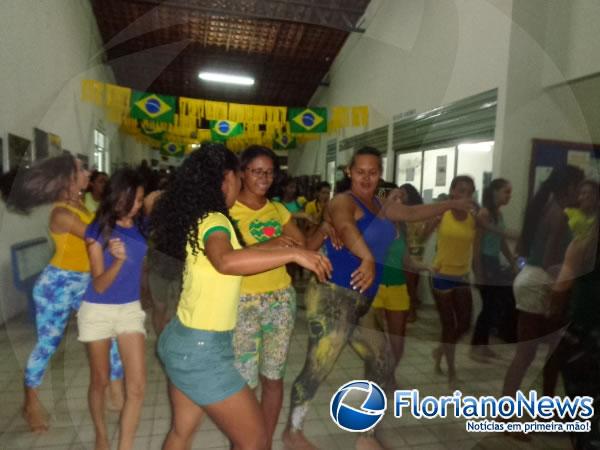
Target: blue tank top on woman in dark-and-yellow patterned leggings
{"x": 378, "y": 234}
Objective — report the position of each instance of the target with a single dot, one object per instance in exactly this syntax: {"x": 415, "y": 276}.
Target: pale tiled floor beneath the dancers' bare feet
{"x": 65, "y": 388}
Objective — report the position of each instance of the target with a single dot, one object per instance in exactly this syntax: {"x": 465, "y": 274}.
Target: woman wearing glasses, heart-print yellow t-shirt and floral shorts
{"x": 267, "y": 307}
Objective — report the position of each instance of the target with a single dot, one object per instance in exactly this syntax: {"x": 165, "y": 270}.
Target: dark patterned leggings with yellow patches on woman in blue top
{"x": 337, "y": 316}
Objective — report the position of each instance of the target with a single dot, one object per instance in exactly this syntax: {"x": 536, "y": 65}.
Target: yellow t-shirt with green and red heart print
{"x": 259, "y": 226}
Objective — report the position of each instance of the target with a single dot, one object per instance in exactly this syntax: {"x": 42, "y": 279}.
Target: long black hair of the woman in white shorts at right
{"x": 559, "y": 182}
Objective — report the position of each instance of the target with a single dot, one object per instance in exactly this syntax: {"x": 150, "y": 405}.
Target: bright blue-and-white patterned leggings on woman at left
{"x": 56, "y": 293}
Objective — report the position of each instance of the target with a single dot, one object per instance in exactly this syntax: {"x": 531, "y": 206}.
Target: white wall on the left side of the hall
{"x": 46, "y": 48}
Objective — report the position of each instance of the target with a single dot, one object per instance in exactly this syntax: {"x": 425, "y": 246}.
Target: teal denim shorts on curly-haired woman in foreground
{"x": 199, "y": 363}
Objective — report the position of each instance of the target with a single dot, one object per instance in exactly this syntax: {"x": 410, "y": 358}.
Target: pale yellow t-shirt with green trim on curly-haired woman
{"x": 209, "y": 299}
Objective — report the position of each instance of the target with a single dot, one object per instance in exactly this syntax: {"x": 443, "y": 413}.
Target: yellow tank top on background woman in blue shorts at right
{"x": 454, "y": 245}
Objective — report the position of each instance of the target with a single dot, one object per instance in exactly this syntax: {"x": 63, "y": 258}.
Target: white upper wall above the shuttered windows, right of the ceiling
{"x": 417, "y": 54}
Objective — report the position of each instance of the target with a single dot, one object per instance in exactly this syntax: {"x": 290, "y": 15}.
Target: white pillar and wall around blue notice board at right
{"x": 532, "y": 110}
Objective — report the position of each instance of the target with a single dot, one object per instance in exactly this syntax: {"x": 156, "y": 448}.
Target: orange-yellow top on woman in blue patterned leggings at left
{"x": 70, "y": 252}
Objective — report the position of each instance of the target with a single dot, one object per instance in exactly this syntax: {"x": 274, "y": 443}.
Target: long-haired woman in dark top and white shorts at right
{"x": 544, "y": 240}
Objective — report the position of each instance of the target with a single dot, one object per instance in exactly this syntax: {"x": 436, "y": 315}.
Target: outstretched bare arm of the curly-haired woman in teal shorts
{"x": 252, "y": 260}
